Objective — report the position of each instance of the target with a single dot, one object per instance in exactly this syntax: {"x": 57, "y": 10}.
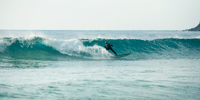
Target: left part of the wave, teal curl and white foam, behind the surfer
{"x": 38, "y": 48}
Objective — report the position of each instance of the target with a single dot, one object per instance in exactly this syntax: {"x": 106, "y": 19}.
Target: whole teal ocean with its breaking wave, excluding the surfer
{"x": 74, "y": 65}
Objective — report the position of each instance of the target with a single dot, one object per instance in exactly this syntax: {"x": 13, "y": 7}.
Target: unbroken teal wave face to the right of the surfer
{"x": 148, "y": 49}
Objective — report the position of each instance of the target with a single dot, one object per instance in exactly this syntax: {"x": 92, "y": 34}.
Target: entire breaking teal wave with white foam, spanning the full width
{"x": 39, "y": 48}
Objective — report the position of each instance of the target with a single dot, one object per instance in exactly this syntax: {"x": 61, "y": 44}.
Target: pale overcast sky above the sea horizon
{"x": 99, "y": 14}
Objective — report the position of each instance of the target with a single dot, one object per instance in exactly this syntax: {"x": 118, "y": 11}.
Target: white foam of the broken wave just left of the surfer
{"x": 75, "y": 47}
